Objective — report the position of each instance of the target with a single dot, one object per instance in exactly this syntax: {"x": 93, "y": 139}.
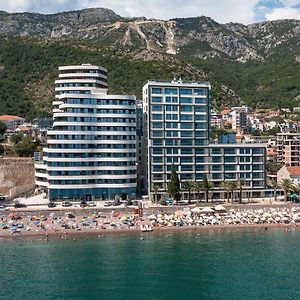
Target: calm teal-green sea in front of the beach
{"x": 213, "y": 264}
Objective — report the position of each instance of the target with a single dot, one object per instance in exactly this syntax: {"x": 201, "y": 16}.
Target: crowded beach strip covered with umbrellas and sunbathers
{"x": 71, "y": 224}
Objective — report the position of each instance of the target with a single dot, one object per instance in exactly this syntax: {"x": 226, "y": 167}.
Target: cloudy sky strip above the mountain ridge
{"x": 223, "y": 11}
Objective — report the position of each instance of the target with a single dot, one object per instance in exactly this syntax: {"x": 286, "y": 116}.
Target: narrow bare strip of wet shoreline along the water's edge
{"x": 72, "y": 233}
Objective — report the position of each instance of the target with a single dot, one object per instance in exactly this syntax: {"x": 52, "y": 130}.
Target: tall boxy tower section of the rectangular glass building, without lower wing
{"x": 177, "y": 130}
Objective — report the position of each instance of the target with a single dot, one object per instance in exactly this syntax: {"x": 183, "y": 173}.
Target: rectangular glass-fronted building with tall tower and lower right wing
{"x": 177, "y": 131}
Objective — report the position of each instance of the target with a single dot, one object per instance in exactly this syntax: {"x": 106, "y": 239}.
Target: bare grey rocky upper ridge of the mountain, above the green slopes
{"x": 200, "y": 37}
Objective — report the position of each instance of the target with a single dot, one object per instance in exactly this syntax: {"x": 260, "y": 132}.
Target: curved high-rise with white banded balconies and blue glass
{"x": 91, "y": 149}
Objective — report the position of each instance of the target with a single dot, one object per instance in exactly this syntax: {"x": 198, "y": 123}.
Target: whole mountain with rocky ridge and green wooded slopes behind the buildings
{"x": 257, "y": 64}
